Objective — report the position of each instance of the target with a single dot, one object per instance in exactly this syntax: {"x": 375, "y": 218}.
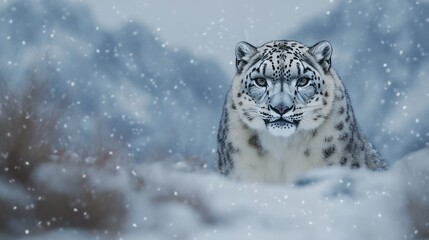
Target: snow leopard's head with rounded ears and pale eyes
{"x": 282, "y": 86}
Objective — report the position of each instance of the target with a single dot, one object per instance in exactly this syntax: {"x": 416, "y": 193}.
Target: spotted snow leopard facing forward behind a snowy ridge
{"x": 287, "y": 111}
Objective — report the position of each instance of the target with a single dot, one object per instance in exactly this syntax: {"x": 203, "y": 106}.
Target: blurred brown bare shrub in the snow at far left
{"x": 42, "y": 184}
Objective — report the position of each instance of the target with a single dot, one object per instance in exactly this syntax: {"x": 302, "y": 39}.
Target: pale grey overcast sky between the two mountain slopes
{"x": 211, "y": 28}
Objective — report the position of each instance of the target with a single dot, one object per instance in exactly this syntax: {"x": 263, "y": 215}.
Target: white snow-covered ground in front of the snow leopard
{"x": 334, "y": 203}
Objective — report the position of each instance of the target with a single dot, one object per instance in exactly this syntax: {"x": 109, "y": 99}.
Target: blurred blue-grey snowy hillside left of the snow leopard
{"x": 155, "y": 100}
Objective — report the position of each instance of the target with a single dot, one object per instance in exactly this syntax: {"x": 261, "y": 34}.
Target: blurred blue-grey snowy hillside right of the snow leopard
{"x": 381, "y": 52}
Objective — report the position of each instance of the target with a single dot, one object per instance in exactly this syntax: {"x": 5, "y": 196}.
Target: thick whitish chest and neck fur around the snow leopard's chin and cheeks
{"x": 283, "y": 159}
